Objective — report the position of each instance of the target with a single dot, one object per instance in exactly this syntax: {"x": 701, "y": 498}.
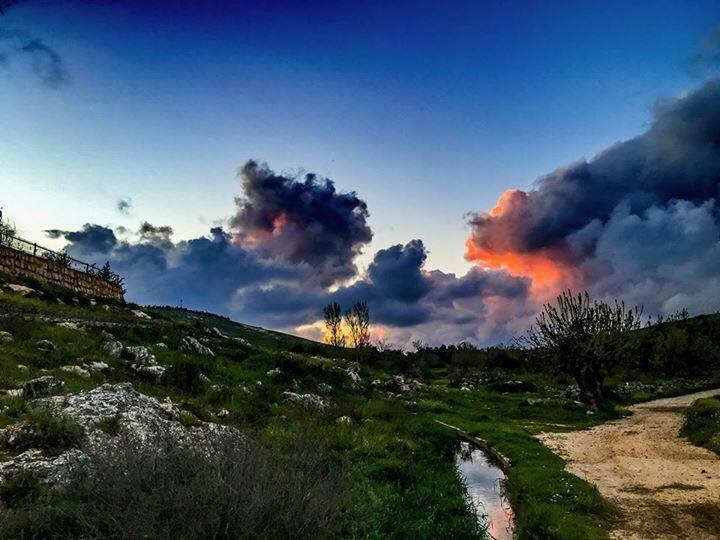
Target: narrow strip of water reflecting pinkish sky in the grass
{"x": 484, "y": 483}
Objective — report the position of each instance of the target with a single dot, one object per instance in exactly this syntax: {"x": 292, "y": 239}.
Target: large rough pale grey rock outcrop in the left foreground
{"x": 141, "y": 420}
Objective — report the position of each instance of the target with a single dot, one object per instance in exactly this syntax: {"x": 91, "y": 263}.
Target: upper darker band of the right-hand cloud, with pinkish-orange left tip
{"x": 677, "y": 158}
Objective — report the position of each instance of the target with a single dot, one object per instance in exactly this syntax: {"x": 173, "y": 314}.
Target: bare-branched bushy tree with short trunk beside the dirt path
{"x": 586, "y": 338}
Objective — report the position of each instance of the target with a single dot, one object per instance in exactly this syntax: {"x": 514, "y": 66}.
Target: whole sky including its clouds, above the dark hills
{"x": 115, "y": 113}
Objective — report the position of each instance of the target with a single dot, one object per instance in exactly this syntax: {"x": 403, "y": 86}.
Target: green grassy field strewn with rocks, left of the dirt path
{"x": 397, "y": 463}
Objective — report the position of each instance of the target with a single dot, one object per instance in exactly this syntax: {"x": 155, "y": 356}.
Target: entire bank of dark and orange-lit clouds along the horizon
{"x": 639, "y": 222}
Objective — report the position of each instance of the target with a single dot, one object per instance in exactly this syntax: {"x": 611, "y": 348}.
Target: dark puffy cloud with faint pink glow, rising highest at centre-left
{"x": 302, "y": 221}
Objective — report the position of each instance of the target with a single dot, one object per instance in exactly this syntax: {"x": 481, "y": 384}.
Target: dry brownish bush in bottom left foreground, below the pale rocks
{"x": 129, "y": 491}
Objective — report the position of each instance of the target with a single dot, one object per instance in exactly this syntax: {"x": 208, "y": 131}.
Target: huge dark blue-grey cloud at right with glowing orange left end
{"x": 629, "y": 221}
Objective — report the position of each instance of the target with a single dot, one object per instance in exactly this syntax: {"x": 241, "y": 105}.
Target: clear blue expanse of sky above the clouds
{"x": 428, "y": 111}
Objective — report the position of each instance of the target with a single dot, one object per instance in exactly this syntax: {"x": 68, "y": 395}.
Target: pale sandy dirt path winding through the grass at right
{"x": 663, "y": 486}
